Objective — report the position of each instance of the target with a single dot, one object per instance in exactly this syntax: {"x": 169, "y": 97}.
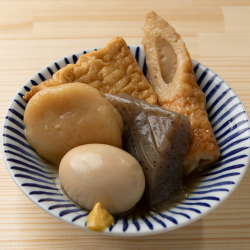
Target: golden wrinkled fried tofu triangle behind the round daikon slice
{"x": 112, "y": 69}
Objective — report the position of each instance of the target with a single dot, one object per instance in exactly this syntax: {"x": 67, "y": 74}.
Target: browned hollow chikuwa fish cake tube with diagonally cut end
{"x": 171, "y": 73}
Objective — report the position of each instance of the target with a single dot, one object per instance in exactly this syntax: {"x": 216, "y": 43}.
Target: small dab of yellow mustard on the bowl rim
{"x": 99, "y": 219}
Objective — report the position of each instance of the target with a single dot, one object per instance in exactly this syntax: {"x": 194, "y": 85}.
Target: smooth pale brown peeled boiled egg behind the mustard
{"x": 102, "y": 173}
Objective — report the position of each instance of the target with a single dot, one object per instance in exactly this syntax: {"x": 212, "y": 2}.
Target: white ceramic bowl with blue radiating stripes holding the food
{"x": 39, "y": 180}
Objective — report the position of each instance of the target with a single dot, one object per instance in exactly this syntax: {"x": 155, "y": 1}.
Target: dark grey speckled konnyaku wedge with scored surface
{"x": 159, "y": 140}
